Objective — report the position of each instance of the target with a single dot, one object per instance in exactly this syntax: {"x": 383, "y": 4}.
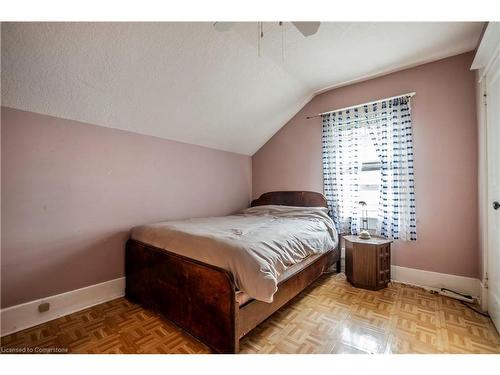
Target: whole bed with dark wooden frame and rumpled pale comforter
{"x": 213, "y": 297}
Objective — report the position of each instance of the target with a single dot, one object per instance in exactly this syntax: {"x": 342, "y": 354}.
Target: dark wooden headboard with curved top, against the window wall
{"x": 291, "y": 198}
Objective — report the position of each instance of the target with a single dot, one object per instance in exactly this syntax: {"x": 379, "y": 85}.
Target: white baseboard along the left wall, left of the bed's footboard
{"x": 19, "y": 317}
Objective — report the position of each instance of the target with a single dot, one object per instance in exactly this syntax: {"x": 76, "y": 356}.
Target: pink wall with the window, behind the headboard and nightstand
{"x": 445, "y": 145}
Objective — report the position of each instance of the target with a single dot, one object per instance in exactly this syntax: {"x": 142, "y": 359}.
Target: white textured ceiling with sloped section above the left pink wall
{"x": 188, "y": 82}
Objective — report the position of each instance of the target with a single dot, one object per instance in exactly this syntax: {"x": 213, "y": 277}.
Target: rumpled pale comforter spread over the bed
{"x": 255, "y": 245}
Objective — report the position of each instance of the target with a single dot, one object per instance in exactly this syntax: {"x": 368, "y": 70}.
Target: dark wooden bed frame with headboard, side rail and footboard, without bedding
{"x": 201, "y": 298}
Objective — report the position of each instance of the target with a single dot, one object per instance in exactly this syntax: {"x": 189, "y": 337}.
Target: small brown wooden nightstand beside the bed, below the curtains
{"x": 368, "y": 262}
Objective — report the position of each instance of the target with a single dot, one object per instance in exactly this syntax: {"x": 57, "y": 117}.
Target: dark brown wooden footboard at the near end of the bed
{"x": 198, "y": 297}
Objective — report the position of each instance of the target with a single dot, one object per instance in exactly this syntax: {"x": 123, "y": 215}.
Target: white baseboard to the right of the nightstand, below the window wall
{"x": 435, "y": 280}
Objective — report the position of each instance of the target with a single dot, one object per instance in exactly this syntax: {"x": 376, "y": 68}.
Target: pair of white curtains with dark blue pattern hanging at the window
{"x": 389, "y": 123}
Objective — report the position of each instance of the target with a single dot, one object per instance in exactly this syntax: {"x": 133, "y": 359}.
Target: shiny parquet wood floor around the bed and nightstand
{"x": 330, "y": 316}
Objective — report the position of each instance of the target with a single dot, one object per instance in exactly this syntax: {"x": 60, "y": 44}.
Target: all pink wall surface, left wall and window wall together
{"x": 71, "y": 191}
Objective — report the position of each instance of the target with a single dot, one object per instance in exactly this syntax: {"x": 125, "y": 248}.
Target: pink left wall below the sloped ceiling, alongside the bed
{"x": 71, "y": 192}
